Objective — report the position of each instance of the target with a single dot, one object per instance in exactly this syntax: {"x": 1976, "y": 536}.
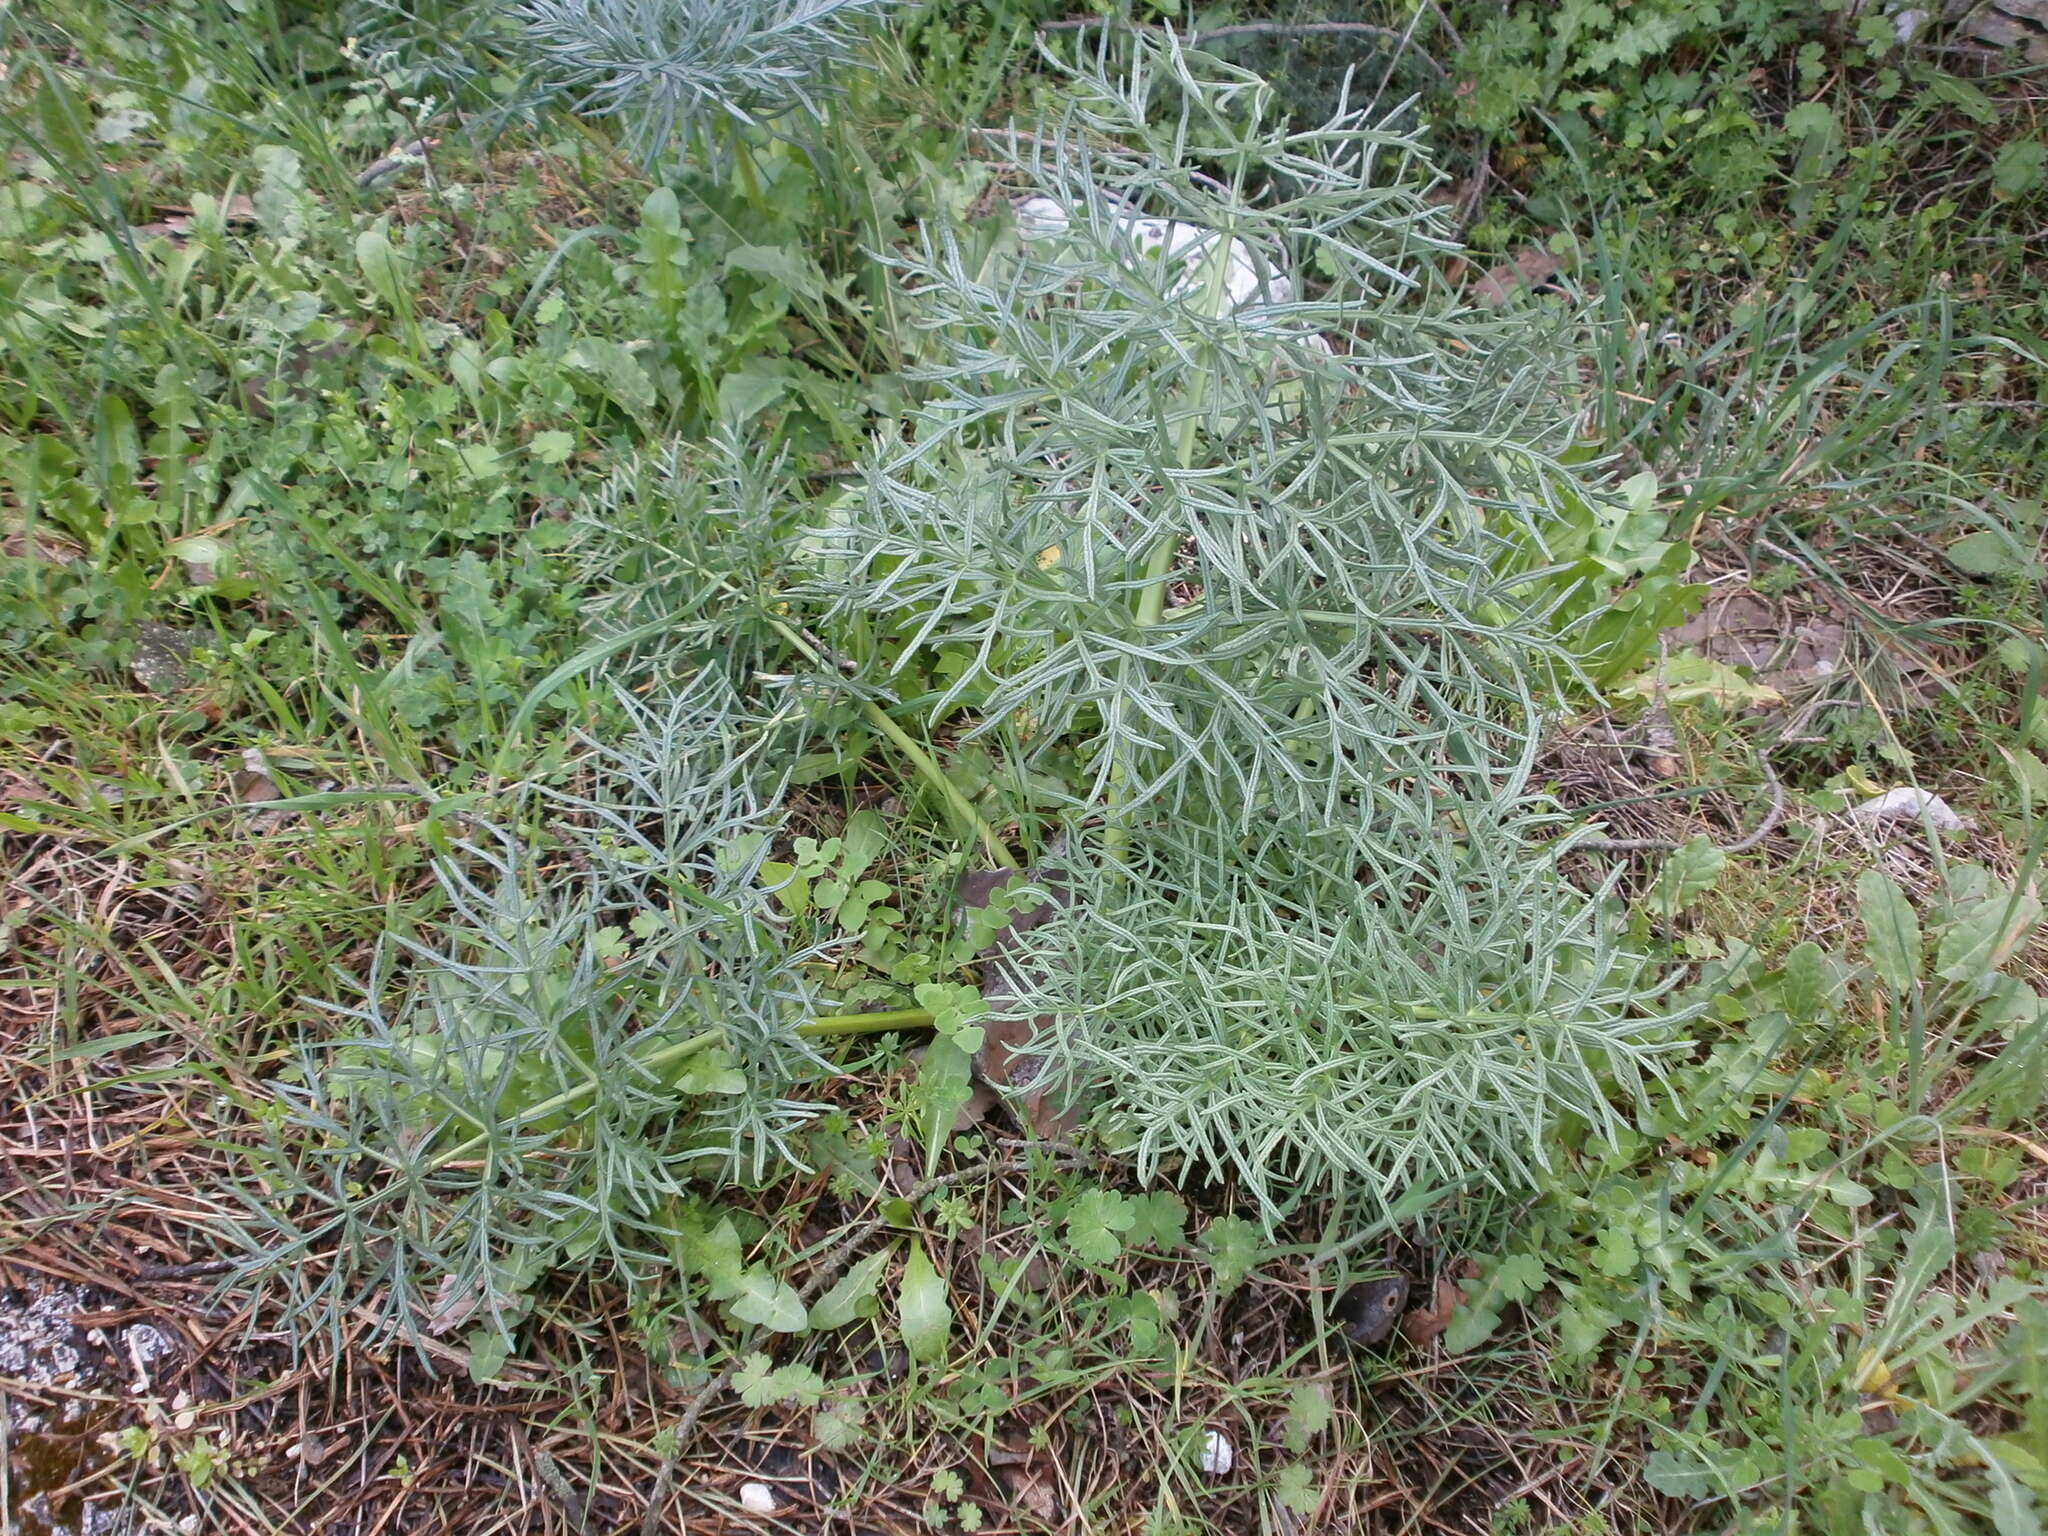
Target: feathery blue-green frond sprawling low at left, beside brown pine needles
{"x": 581, "y": 1052}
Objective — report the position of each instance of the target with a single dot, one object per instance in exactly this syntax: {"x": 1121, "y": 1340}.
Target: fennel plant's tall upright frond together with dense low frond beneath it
{"x": 1218, "y": 501}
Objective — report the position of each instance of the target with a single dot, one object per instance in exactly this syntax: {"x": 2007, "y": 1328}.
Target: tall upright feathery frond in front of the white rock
{"x": 1238, "y": 550}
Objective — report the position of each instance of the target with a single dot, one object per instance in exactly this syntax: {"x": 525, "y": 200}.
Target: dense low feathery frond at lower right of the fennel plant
{"x": 1406, "y": 998}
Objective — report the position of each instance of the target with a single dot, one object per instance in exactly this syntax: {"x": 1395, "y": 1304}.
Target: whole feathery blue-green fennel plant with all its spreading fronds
{"x": 1211, "y": 534}
